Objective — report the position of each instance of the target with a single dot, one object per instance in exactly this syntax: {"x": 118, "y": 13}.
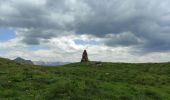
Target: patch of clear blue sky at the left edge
{"x": 7, "y": 34}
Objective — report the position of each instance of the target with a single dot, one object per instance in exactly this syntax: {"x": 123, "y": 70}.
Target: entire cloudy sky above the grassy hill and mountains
{"x": 111, "y": 30}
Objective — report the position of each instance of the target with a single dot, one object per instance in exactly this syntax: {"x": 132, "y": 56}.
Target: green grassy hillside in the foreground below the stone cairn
{"x": 81, "y": 81}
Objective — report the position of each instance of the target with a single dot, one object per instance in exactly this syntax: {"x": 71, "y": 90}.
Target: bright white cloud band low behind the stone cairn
{"x": 64, "y": 49}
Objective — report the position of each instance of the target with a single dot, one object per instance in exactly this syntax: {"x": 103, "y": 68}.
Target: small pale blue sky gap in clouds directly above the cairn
{"x": 85, "y": 42}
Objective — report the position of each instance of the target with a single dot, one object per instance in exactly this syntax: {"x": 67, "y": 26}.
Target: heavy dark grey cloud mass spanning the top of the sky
{"x": 146, "y": 22}
